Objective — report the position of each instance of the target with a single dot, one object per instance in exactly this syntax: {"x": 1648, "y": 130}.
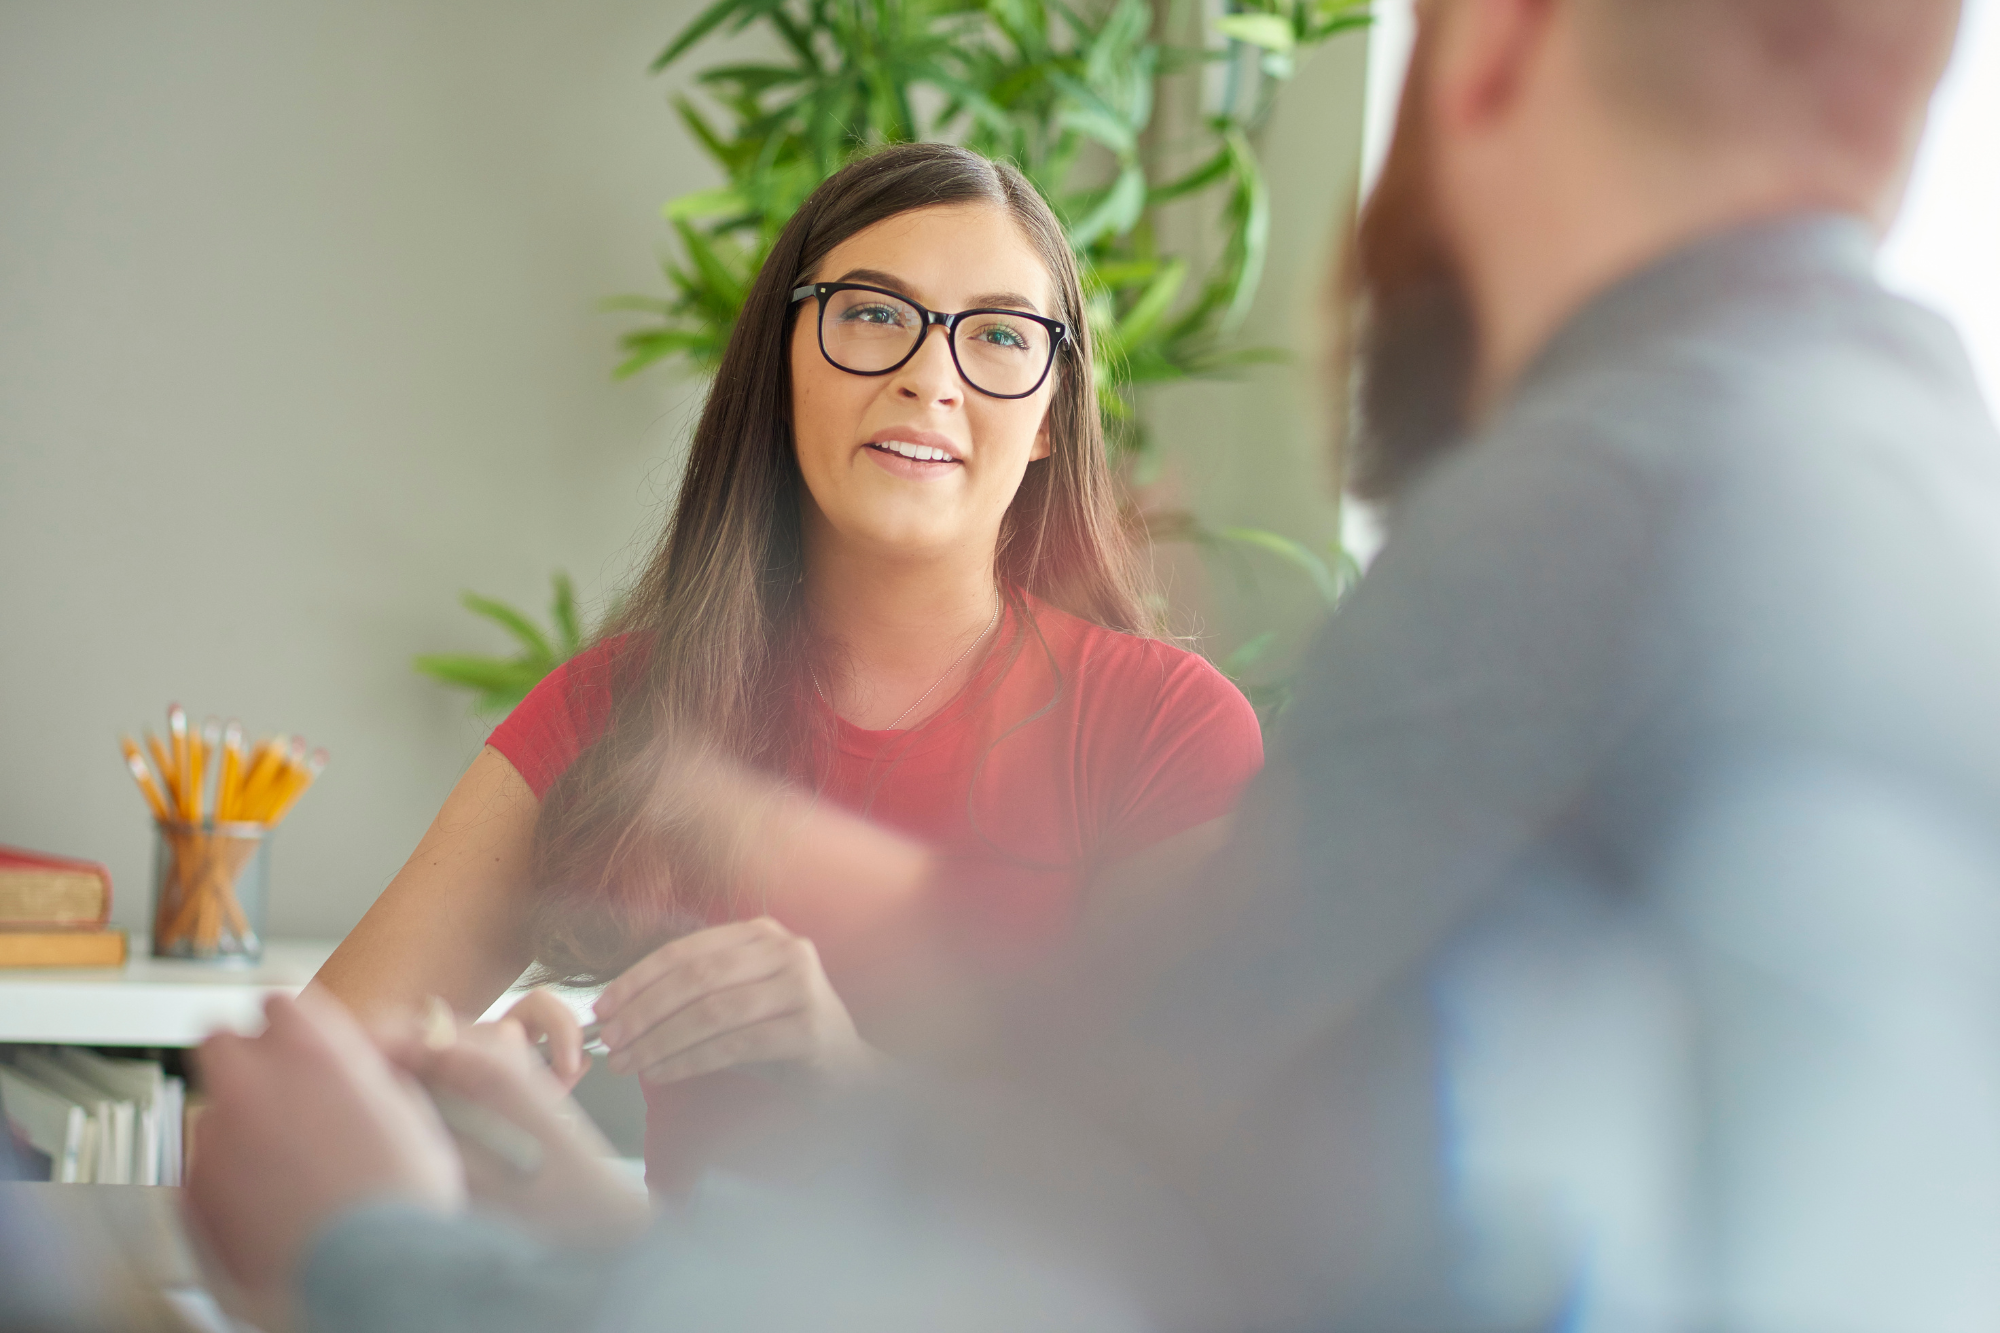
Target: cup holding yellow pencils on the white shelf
{"x": 209, "y": 892}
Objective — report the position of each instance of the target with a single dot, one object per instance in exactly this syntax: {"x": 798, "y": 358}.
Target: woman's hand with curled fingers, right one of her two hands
{"x": 741, "y": 994}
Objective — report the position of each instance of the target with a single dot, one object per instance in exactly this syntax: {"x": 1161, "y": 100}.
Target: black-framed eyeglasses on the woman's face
{"x": 875, "y": 331}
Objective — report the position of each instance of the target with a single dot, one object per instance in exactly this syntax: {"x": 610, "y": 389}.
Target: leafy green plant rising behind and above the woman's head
{"x": 1065, "y": 93}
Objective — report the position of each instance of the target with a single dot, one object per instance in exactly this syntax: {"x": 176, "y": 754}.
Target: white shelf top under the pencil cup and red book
{"x": 149, "y": 1002}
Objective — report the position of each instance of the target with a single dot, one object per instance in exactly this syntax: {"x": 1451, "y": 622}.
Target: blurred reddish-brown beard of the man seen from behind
{"x": 1413, "y": 333}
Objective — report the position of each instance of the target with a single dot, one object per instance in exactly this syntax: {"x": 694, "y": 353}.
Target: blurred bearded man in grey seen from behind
{"x": 1617, "y": 936}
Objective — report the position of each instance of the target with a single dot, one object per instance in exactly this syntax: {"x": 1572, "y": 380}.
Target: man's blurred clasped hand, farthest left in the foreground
{"x": 303, "y": 1124}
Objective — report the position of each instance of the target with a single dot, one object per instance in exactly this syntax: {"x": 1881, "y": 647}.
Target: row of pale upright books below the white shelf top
{"x": 97, "y": 1120}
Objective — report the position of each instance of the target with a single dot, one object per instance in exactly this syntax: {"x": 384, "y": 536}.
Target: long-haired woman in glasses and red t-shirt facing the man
{"x": 897, "y": 579}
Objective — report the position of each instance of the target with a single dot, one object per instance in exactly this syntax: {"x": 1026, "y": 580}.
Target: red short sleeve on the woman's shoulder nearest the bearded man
{"x": 1193, "y": 744}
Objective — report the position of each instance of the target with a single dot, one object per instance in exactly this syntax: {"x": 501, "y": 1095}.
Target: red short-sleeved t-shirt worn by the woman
{"x": 1053, "y": 762}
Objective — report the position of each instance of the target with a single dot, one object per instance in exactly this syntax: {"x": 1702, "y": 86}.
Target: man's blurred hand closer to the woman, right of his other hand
{"x": 575, "y": 1196}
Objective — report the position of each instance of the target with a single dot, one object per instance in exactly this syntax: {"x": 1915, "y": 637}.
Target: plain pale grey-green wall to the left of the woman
{"x": 297, "y": 341}
